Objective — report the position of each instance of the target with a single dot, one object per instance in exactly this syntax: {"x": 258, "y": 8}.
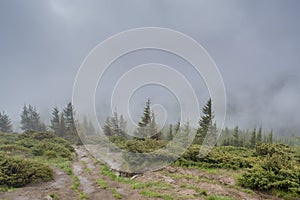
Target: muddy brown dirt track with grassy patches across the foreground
{"x": 169, "y": 183}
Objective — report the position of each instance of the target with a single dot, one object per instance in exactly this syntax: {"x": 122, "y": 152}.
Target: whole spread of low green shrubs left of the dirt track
{"x": 24, "y": 157}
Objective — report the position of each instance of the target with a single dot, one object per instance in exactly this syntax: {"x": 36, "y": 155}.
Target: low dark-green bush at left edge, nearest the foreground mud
{"x": 17, "y": 171}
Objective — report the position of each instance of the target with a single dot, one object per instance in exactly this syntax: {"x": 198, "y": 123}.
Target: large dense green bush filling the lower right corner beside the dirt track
{"x": 275, "y": 171}
